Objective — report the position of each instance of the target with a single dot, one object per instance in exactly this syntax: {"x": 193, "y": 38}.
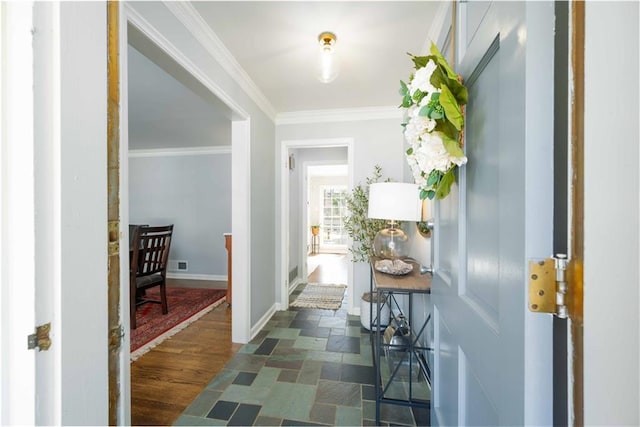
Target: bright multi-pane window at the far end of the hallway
{"x": 333, "y": 209}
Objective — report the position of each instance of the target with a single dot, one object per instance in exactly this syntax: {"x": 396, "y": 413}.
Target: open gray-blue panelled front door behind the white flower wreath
{"x": 492, "y": 357}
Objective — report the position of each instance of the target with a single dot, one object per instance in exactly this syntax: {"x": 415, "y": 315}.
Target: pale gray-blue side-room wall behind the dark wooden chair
{"x": 192, "y": 192}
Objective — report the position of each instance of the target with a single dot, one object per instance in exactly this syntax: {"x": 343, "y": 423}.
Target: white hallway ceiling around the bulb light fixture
{"x": 276, "y": 43}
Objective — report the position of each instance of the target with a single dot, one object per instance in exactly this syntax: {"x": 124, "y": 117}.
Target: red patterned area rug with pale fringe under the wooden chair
{"x": 186, "y": 305}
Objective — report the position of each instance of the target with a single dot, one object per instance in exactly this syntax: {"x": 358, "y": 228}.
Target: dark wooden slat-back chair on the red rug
{"x": 149, "y": 257}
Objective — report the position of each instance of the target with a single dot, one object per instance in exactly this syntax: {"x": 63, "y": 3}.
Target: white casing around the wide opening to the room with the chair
{"x": 240, "y": 199}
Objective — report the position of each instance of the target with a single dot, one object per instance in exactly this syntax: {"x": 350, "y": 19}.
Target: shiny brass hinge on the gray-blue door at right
{"x": 548, "y": 285}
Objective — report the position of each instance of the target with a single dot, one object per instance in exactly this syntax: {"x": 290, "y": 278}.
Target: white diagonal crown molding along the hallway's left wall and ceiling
{"x": 197, "y": 26}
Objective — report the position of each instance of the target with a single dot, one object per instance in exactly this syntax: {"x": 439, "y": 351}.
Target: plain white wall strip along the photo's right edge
{"x": 611, "y": 256}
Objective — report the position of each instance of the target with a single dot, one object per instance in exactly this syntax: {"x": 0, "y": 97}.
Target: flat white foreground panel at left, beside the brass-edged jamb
{"x": 83, "y": 158}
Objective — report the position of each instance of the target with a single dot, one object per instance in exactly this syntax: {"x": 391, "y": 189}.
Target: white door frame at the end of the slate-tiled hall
{"x": 282, "y": 289}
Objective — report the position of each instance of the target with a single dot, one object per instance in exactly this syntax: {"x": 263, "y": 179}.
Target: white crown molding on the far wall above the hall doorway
{"x": 338, "y": 115}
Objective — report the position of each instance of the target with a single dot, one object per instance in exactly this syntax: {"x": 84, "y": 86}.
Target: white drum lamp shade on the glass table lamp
{"x": 397, "y": 201}
